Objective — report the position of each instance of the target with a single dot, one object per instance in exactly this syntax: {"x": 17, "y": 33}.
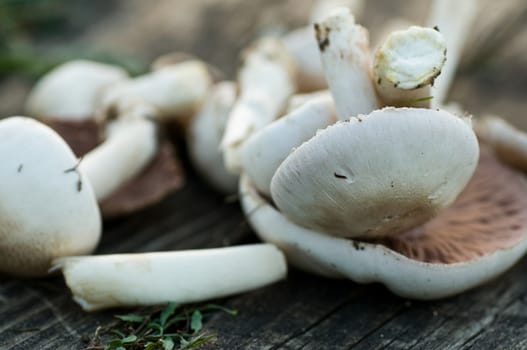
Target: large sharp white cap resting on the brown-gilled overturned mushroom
{"x": 379, "y": 174}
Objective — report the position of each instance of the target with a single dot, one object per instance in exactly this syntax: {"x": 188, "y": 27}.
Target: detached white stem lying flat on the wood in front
{"x": 99, "y": 282}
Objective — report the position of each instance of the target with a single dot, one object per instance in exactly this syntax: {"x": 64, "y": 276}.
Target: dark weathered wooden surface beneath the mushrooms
{"x": 302, "y": 312}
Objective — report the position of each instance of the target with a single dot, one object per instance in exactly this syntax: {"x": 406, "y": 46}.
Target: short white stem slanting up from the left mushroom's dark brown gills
{"x": 131, "y": 143}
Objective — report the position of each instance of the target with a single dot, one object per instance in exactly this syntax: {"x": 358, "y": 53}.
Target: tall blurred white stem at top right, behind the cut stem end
{"x": 455, "y": 26}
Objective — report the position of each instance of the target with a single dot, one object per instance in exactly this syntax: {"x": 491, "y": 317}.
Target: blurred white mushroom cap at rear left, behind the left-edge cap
{"x": 70, "y": 91}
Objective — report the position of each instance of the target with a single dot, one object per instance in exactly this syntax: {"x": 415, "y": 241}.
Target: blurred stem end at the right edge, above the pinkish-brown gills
{"x": 509, "y": 143}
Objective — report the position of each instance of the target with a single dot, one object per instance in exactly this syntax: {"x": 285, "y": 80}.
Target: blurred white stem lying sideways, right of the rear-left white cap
{"x": 177, "y": 91}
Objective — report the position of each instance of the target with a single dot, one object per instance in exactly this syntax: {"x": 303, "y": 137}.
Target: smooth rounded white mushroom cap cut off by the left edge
{"x": 48, "y": 210}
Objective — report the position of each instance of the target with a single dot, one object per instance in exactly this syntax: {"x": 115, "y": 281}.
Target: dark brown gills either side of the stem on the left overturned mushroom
{"x": 163, "y": 175}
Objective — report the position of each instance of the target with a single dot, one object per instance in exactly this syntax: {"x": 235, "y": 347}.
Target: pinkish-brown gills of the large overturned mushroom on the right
{"x": 490, "y": 214}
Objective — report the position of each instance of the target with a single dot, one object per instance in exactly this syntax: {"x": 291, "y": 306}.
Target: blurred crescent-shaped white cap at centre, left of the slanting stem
{"x": 205, "y": 133}
